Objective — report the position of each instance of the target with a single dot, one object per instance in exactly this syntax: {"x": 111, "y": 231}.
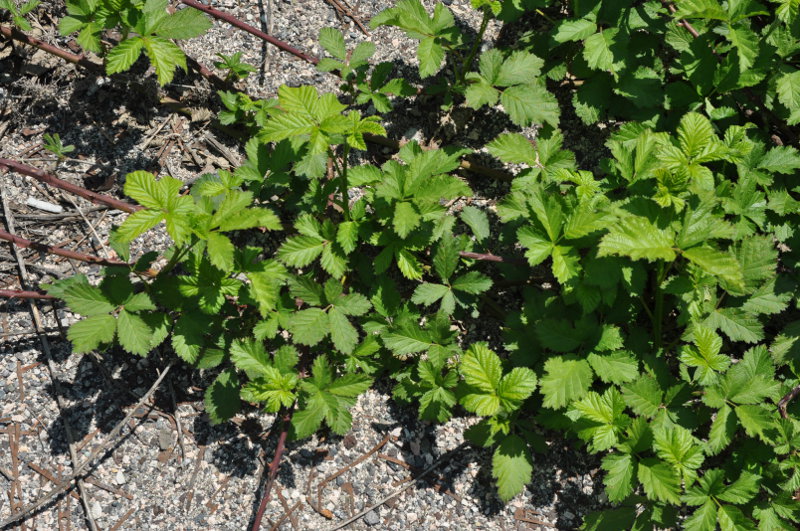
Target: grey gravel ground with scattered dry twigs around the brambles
{"x": 169, "y": 468}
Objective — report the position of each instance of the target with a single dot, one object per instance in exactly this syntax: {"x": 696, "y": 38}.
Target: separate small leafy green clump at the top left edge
{"x": 145, "y": 26}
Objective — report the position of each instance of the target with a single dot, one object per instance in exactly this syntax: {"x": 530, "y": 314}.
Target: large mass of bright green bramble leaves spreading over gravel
{"x": 652, "y": 312}
